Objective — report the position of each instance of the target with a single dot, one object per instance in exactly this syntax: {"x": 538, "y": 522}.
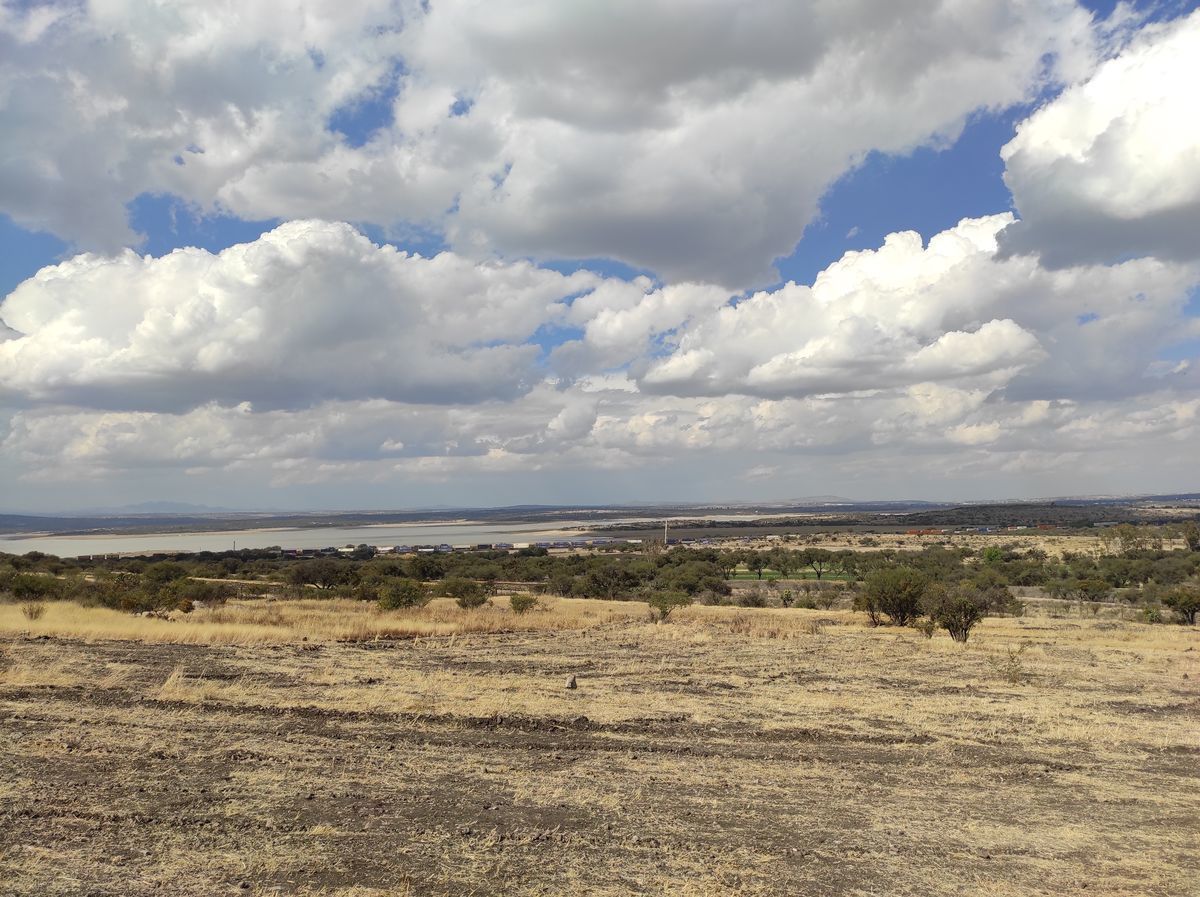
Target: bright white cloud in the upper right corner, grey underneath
{"x": 1111, "y": 170}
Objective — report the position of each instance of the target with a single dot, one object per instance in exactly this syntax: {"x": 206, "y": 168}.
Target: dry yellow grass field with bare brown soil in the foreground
{"x": 325, "y": 749}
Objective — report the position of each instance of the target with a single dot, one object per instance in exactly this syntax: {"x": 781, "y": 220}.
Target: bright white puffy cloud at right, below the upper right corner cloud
{"x": 946, "y": 314}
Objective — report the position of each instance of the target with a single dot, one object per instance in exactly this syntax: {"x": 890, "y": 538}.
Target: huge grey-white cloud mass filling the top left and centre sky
{"x": 691, "y": 140}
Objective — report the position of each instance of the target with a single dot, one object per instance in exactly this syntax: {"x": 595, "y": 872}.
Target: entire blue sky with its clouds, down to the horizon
{"x": 400, "y": 254}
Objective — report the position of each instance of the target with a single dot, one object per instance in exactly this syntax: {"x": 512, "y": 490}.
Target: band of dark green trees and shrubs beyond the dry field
{"x": 941, "y": 586}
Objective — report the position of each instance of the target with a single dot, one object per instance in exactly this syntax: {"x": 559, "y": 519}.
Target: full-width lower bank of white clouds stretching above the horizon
{"x": 314, "y": 356}
